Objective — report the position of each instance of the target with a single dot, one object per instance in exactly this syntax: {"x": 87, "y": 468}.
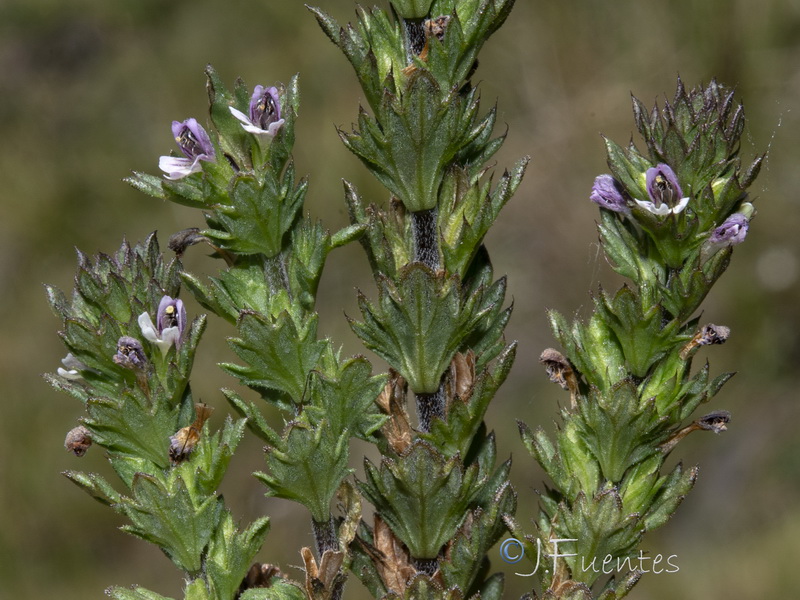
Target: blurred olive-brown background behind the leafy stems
{"x": 88, "y": 89}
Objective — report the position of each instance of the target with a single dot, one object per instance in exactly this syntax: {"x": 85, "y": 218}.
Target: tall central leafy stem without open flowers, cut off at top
{"x": 438, "y": 321}
